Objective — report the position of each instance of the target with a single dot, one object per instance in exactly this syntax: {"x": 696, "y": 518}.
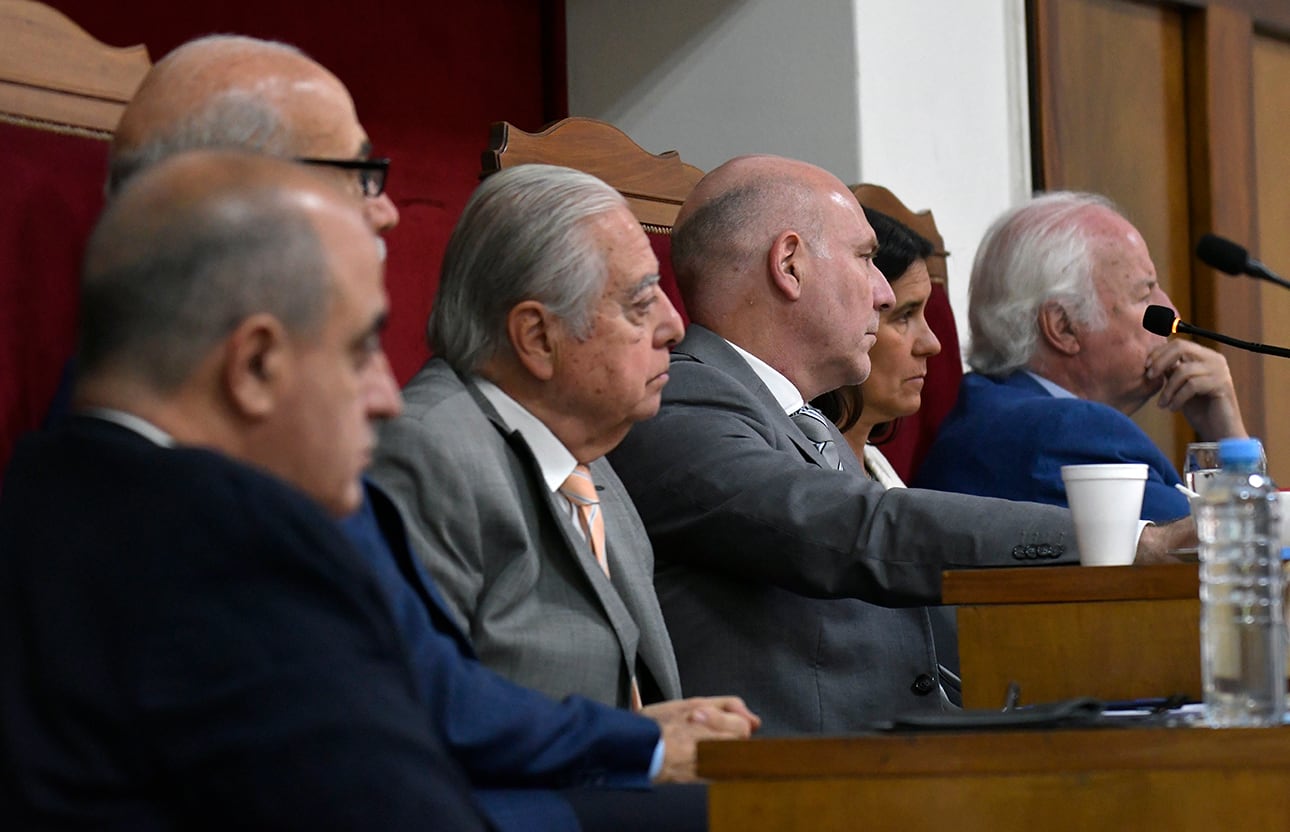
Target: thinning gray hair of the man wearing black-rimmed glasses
{"x": 234, "y": 119}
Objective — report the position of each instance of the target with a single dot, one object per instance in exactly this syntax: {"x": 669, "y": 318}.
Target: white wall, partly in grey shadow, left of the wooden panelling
{"x": 927, "y": 97}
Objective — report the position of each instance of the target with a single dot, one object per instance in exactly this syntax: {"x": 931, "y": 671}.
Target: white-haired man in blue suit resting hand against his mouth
{"x": 1062, "y": 361}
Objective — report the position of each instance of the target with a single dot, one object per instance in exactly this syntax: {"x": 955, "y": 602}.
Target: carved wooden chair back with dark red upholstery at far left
{"x": 61, "y": 96}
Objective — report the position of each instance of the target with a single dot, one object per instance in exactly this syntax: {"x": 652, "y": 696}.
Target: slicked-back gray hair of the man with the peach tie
{"x": 524, "y": 235}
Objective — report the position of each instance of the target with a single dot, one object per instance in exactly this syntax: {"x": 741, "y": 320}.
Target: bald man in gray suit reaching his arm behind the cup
{"x": 784, "y": 572}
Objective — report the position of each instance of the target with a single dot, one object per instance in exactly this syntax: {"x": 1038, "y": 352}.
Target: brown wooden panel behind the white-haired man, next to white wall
{"x": 1110, "y": 115}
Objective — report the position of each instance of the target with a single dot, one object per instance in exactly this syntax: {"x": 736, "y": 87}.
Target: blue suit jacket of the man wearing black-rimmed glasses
{"x": 517, "y": 745}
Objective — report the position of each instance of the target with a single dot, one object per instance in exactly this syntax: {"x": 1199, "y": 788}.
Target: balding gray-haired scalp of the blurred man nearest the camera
{"x": 166, "y": 281}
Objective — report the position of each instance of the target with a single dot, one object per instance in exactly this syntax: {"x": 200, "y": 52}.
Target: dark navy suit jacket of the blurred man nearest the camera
{"x": 188, "y": 643}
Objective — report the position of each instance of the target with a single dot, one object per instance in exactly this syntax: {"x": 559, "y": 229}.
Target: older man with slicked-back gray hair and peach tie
{"x": 553, "y": 339}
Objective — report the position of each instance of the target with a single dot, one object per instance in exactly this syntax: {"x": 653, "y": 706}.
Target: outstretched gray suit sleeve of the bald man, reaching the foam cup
{"x": 722, "y": 487}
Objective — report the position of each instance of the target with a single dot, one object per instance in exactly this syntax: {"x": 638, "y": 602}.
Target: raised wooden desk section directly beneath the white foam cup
{"x": 1114, "y": 633}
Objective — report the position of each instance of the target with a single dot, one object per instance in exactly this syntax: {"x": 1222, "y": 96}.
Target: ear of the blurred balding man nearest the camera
{"x": 257, "y": 366}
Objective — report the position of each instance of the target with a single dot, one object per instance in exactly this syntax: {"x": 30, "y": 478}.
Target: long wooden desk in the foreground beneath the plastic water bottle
{"x": 1184, "y": 778}
